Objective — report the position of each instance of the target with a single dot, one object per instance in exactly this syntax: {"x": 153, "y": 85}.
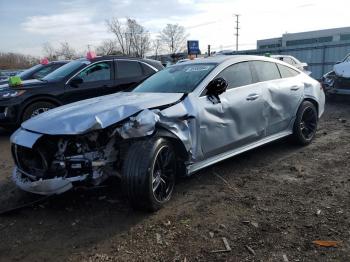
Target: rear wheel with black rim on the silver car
{"x": 305, "y": 124}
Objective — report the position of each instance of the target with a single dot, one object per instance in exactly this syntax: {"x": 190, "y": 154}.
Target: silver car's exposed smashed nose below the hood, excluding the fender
{"x": 53, "y": 164}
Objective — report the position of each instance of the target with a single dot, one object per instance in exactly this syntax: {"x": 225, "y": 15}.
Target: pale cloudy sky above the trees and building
{"x": 25, "y": 25}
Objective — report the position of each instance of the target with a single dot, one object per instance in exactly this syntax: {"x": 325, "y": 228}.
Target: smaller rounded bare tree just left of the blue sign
{"x": 174, "y": 37}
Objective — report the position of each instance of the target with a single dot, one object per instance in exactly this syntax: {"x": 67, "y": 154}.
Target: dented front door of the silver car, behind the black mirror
{"x": 236, "y": 120}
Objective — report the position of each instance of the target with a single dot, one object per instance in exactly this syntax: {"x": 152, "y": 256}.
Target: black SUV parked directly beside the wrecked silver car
{"x": 77, "y": 80}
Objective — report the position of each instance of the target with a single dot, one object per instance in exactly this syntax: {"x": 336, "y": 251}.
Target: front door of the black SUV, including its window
{"x": 95, "y": 80}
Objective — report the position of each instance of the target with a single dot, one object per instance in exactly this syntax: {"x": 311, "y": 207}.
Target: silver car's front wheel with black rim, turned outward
{"x": 147, "y": 185}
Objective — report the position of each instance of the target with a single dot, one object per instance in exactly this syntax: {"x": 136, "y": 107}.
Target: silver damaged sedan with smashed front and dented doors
{"x": 180, "y": 120}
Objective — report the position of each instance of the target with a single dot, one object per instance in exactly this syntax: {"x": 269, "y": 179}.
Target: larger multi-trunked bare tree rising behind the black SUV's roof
{"x": 133, "y": 38}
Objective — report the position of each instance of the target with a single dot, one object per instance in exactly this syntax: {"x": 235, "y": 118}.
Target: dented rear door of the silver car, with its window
{"x": 281, "y": 95}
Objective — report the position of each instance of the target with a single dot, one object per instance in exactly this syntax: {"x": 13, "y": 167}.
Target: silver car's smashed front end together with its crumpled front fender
{"x": 52, "y": 164}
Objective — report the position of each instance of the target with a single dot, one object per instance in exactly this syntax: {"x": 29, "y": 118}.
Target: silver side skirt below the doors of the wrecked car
{"x": 212, "y": 160}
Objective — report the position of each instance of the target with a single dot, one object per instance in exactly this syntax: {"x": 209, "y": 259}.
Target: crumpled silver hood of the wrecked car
{"x": 96, "y": 113}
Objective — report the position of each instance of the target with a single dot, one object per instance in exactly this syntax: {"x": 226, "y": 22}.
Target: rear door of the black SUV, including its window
{"x": 129, "y": 73}
